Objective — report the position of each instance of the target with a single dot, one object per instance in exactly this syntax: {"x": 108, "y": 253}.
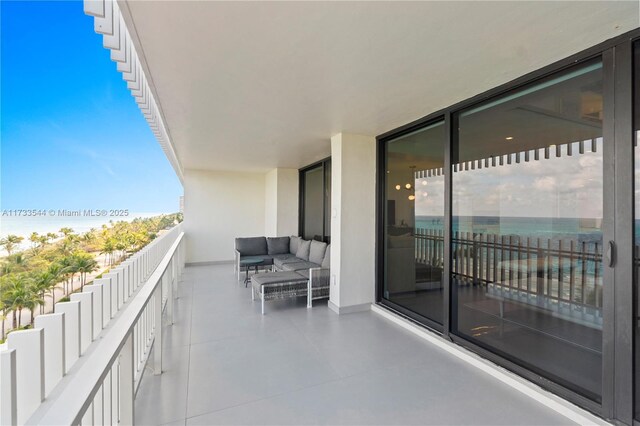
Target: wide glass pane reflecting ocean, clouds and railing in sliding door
{"x": 527, "y": 240}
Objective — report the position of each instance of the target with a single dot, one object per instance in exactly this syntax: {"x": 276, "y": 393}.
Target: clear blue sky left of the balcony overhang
{"x": 72, "y": 136}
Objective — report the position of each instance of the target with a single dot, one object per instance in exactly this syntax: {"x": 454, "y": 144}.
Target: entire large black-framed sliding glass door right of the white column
{"x": 510, "y": 222}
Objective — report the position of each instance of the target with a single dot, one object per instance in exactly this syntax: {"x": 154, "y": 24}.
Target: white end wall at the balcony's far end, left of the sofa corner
{"x": 219, "y": 206}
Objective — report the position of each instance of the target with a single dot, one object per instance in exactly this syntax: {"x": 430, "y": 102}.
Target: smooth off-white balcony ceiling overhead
{"x": 256, "y": 85}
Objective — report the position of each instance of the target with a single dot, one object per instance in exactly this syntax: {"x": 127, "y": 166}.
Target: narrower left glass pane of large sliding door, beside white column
{"x": 414, "y": 221}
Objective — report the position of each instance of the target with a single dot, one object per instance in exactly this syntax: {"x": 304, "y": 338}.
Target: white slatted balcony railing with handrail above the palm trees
{"x": 83, "y": 363}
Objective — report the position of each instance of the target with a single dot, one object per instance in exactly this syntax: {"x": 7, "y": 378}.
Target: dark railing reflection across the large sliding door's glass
{"x": 561, "y": 275}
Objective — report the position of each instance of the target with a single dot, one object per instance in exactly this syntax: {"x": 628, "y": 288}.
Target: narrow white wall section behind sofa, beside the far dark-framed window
{"x": 281, "y": 203}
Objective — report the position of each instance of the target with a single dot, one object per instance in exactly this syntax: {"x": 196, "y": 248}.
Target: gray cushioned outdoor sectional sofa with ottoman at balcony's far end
{"x": 299, "y": 267}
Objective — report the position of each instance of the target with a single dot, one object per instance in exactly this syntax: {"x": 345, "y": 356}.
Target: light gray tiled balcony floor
{"x": 225, "y": 363}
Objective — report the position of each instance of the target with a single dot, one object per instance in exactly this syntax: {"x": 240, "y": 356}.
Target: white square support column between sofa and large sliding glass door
{"x": 353, "y": 194}
